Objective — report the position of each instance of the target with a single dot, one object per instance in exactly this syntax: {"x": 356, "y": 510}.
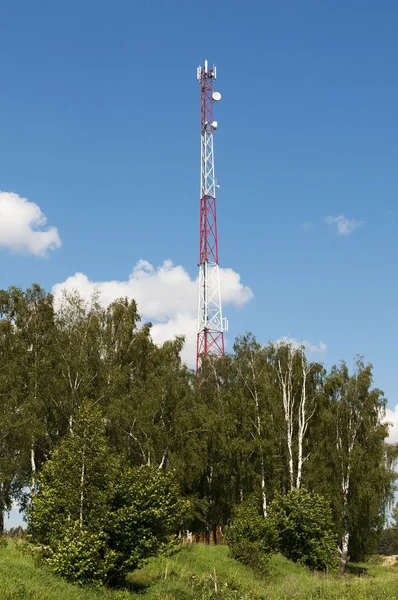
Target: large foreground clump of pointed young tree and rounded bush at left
{"x": 96, "y": 517}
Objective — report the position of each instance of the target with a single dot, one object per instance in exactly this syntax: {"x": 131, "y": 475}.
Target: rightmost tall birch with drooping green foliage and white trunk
{"x": 352, "y": 466}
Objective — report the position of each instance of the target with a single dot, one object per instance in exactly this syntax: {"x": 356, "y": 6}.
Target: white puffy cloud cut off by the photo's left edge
{"x": 23, "y": 227}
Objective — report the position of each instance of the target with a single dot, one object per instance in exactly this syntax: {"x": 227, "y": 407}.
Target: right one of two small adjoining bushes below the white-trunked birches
{"x": 305, "y": 528}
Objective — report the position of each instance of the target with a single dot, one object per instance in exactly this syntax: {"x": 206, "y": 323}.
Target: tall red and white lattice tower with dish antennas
{"x": 211, "y": 324}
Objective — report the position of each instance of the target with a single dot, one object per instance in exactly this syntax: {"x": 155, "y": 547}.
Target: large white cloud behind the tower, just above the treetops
{"x": 165, "y": 295}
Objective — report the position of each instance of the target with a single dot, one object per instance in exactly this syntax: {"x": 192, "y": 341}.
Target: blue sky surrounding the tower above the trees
{"x": 99, "y": 127}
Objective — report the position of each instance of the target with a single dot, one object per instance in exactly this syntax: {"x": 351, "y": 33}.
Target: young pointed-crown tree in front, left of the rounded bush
{"x": 75, "y": 481}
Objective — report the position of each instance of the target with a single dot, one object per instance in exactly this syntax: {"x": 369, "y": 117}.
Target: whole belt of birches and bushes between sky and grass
{"x": 93, "y": 414}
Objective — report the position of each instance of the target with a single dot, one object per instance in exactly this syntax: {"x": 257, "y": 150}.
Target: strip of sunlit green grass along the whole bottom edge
{"x": 198, "y": 572}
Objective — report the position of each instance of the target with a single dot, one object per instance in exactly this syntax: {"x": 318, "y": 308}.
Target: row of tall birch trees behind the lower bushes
{"x": 261, "y": 421}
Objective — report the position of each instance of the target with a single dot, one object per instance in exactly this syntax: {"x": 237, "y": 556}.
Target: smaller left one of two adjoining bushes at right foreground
{"x": 251, "y": 538}
